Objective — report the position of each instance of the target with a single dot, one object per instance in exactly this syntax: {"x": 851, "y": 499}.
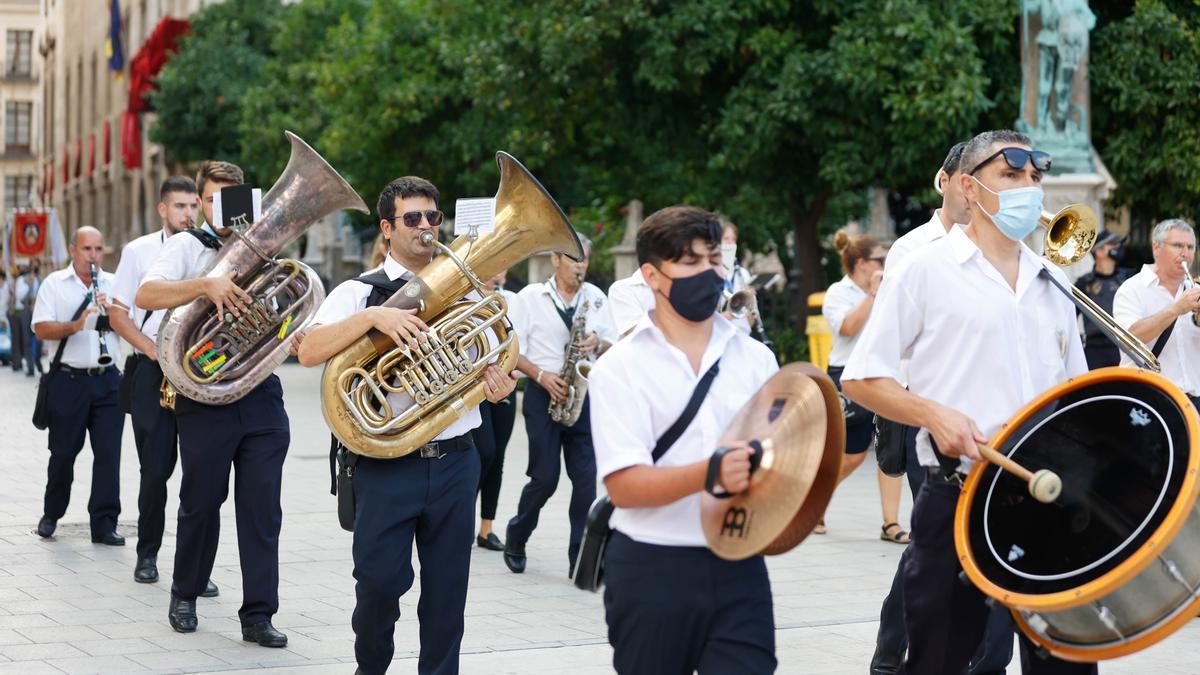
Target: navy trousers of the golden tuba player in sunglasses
{"x": 398, "y": 501}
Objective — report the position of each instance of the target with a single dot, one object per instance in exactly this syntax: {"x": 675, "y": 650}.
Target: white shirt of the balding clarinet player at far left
{"x": 59, "y": 297}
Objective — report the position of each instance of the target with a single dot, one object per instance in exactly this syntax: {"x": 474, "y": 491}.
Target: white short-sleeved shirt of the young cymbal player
{"x": 640, "y": 389}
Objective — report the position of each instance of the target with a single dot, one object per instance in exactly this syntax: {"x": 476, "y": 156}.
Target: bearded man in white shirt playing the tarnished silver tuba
{"x": 251, "y": 433}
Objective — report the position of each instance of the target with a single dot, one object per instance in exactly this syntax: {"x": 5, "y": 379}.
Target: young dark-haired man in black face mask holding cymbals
{"x": 671, "y": 606}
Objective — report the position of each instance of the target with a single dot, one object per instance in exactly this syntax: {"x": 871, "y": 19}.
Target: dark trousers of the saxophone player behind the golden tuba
{"x": 547, "y": 440}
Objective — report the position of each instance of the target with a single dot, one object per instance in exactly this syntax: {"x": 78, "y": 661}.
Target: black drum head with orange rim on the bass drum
{"x": 1120, "y": 441}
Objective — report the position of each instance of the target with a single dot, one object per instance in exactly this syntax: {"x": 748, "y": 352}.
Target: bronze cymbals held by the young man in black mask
{"x": 799, "y": 420}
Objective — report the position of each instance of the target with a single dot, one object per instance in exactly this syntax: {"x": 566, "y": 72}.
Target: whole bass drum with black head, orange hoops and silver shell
{"x": 1113, "y": 566}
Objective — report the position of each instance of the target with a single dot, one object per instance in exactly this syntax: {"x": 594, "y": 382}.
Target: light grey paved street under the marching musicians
{"x": 68, "y": 606}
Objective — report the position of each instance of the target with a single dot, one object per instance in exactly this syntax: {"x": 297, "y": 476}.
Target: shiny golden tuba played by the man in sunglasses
{"x": 441, "y": 378}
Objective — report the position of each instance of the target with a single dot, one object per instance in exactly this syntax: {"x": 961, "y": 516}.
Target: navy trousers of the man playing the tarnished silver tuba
{"x": 251, "y": 437}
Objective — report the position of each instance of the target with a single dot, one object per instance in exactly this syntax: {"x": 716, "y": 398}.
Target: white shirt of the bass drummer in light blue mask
{"x": 977, "y": 345}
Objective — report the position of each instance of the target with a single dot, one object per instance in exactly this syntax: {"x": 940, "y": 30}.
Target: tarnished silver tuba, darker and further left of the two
{"x": 219, "y": 360}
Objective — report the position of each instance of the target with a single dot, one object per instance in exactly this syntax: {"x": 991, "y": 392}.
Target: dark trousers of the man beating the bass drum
{"x": 946, "y": 618}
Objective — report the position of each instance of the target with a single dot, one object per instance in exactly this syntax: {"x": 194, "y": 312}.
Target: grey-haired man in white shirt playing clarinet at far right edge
{"x": 1161, "y": 303}
